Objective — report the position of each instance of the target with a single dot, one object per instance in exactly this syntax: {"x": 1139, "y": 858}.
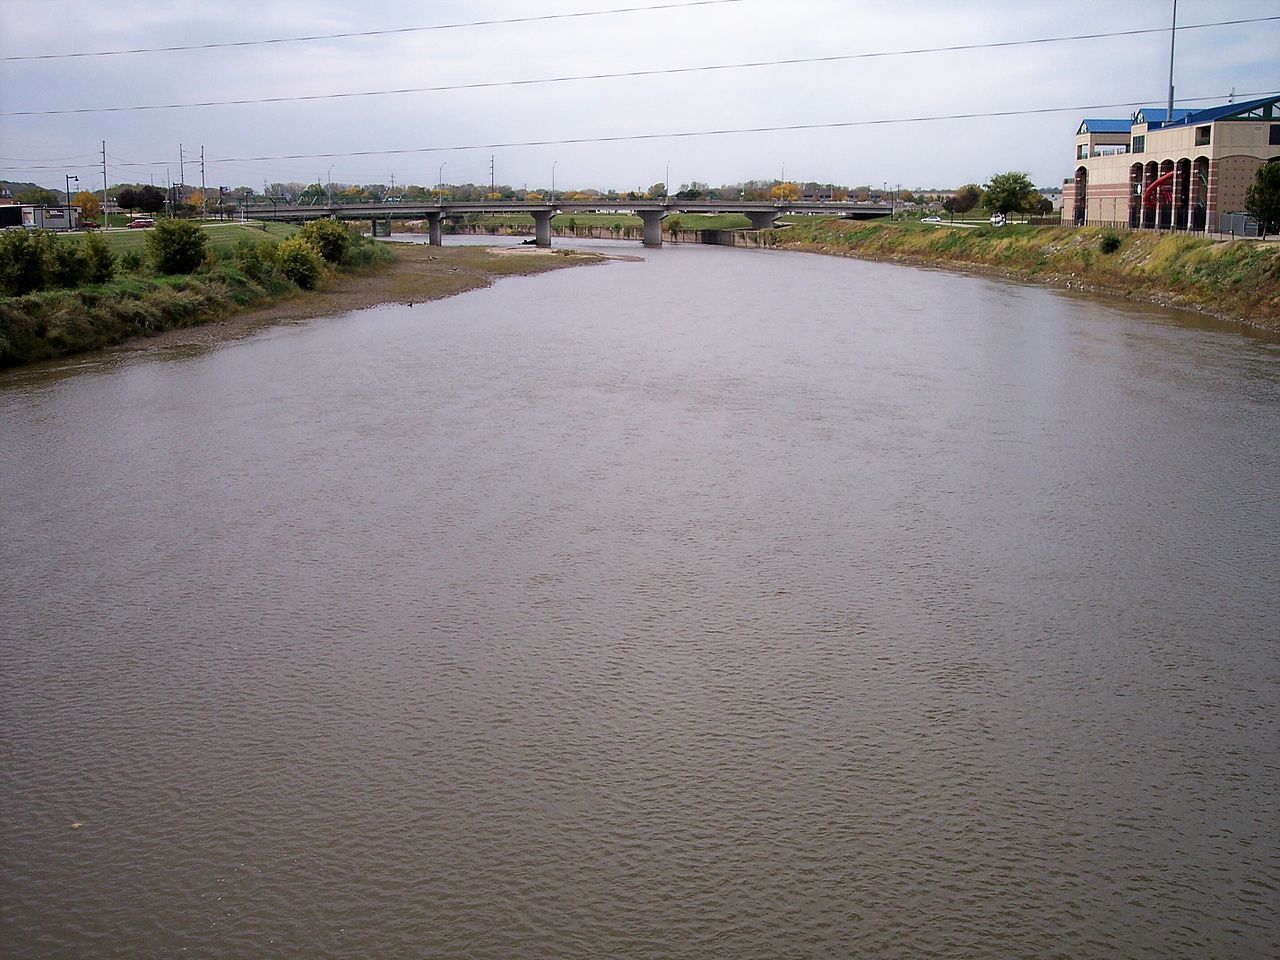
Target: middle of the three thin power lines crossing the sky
{"x": 669, "y": 71}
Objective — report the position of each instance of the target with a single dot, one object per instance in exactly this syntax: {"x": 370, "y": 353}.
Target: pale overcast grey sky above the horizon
{"x": 447, "y": 127}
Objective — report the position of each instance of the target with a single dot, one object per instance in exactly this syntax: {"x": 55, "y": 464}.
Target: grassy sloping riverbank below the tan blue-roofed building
{"x": 1238, "y": 280}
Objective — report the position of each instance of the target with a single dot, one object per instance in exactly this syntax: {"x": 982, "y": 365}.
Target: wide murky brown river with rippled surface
{"x": 725, "y": 605}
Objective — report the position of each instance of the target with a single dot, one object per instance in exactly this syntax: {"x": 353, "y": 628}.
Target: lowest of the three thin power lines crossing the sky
{"x": 683, "y": 135}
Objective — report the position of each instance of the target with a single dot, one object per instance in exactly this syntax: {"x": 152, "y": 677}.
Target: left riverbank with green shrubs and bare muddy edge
{"x": 225, "y": 301}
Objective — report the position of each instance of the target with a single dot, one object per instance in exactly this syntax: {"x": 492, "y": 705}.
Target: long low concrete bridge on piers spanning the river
{"x": 762, "y": 214}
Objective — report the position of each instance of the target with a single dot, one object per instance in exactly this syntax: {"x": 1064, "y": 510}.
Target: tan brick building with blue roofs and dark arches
{"x": 1182, "y": 172}
